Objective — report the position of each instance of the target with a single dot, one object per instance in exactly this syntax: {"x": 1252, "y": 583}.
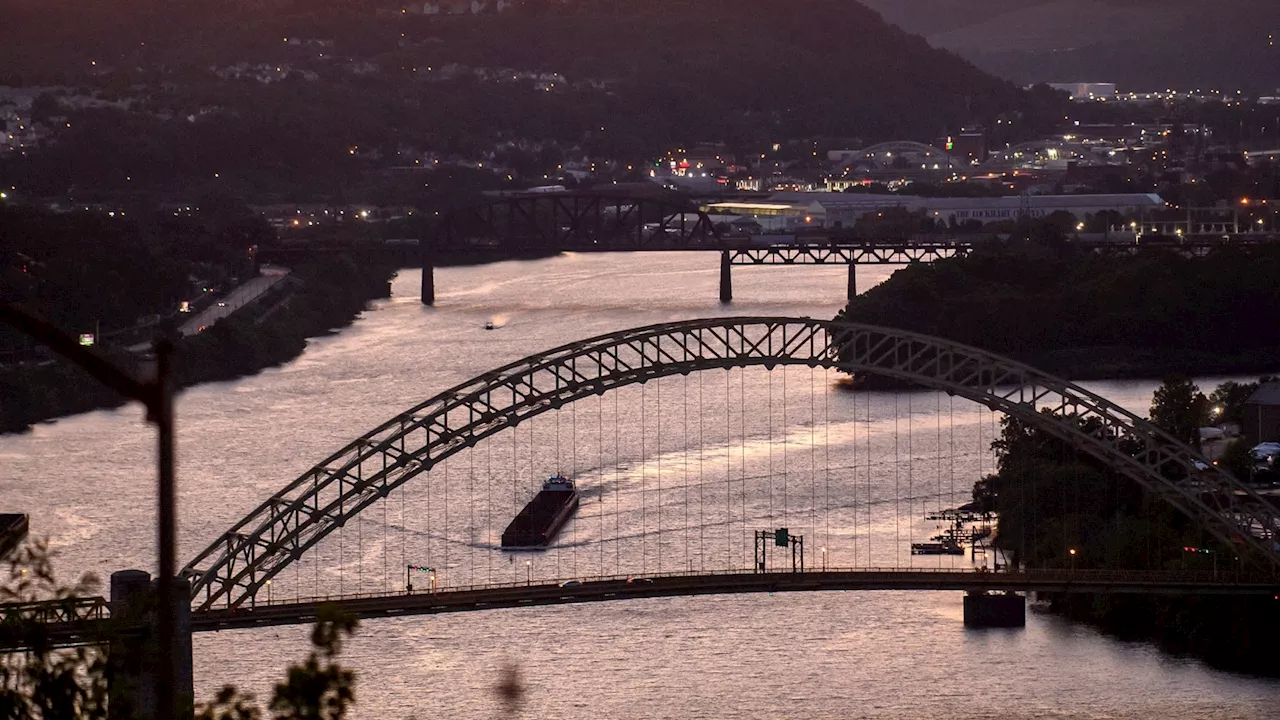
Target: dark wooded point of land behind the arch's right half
{"x": 1089, "y": 317}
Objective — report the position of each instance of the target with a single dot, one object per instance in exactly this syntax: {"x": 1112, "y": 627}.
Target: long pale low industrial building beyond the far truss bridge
{"x": 784, "y": 212}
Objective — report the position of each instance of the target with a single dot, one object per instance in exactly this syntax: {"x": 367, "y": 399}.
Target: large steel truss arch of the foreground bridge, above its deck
{"x": 234, "y": 568}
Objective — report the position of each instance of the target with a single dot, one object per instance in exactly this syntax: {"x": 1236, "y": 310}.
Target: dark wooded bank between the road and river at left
{"x": 331, "y": 293}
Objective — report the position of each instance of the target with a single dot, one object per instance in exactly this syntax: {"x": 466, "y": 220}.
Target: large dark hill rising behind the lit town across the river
{"x": 748, "y": 74}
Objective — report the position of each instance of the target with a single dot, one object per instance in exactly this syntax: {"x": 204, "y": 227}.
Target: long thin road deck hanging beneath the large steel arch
{"x": 598, "y": 590}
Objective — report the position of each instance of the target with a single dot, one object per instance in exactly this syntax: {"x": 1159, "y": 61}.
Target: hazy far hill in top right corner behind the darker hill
{"x": 1141, "y": 44}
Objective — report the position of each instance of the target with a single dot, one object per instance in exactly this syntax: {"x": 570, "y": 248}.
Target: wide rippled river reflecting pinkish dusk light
{"x": 825, "y": 462}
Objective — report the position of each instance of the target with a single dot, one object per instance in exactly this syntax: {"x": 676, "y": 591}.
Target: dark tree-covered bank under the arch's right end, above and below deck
{"x": 1058, "y": 508}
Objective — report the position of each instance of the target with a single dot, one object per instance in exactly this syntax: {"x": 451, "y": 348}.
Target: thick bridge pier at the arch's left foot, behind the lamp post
{"x": 134, "y": 655}
